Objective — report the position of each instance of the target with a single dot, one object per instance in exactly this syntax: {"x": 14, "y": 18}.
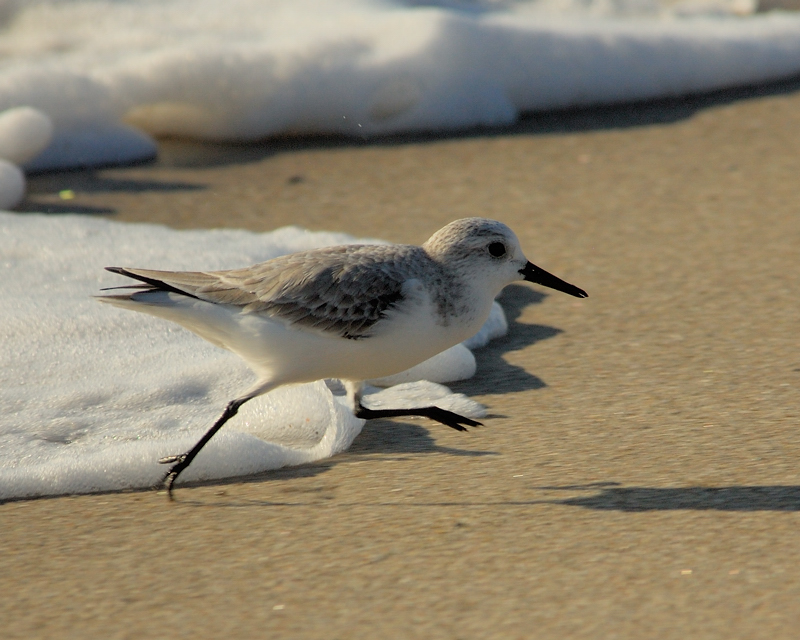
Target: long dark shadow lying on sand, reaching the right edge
{"x": 613, "y": 497}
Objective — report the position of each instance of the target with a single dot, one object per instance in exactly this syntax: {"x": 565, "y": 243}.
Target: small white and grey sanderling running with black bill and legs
{"x": 353, "y": 312}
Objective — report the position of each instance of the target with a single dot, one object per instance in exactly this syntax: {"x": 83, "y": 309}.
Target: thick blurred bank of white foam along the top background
{"x": 247, "y": 69}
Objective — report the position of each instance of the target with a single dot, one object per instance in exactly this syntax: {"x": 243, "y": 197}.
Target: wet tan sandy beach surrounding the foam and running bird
{"x": 638, "y": 475}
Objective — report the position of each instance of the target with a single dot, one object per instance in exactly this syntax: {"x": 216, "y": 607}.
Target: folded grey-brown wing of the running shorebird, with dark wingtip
{"x": 338, "y": 290}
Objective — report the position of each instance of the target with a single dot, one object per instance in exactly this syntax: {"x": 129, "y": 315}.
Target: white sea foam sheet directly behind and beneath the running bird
{"x": 91, "y": 396}
